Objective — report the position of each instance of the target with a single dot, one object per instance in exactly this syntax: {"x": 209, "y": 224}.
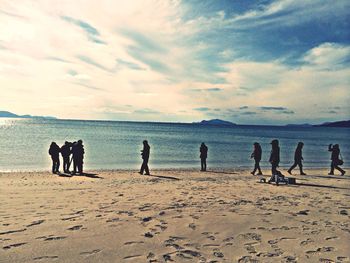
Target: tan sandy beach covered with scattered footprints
{"x": 173, "y": 216}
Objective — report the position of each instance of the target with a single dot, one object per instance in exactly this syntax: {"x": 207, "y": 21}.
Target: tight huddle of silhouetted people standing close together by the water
{"x": 76, "y": 149}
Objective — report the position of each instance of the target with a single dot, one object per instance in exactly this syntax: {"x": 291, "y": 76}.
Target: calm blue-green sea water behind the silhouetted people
{"x": 24, "y": 144}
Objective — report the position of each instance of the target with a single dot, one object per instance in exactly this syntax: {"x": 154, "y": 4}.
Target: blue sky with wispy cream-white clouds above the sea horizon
{"x": 249, "y": 62}
